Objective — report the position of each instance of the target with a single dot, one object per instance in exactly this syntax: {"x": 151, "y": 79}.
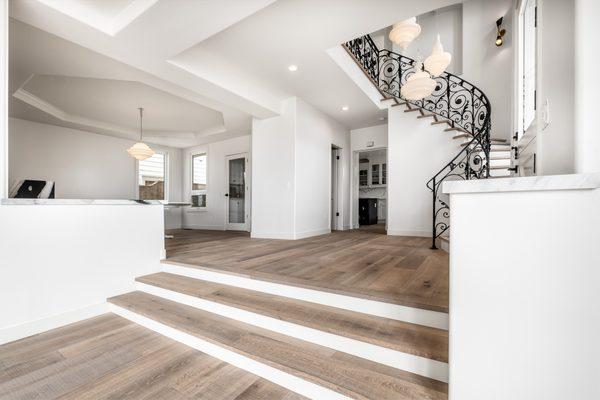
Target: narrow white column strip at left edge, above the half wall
{"x": 3, "y": 99}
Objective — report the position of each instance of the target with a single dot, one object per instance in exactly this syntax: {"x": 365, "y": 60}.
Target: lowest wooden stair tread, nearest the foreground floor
{"x": 353, "y": 376}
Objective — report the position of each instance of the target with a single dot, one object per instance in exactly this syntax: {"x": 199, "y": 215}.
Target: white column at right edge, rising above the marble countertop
{"x": 587, "y": 101}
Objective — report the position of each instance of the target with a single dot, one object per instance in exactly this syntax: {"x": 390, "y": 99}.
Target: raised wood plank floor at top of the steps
{"x": 362, "y": 263}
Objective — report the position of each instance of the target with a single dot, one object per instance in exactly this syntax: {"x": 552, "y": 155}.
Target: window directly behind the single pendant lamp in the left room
{"x": 151, "y": 178}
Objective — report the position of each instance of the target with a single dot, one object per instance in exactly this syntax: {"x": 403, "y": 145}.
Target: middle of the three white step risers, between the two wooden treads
{"x": 408, "y": 362}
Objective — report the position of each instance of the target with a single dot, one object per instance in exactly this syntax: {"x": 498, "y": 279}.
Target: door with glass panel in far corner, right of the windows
{"x": 236, "y": 196}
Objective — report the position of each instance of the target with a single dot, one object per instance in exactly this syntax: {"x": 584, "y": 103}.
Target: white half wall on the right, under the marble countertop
{"x": 524, "y": 298}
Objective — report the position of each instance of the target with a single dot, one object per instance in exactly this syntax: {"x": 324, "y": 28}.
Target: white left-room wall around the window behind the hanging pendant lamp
{"x": 84, "y": 165}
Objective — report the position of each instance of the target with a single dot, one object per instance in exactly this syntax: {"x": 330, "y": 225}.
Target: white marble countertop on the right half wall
{"x": 525, "y": 184}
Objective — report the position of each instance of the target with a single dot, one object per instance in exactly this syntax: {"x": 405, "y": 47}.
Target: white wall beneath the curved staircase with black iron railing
{"x": 416, "y": 152}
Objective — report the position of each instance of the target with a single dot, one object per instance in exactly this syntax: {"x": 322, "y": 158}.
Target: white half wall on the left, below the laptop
{"x": 60, "y": 262}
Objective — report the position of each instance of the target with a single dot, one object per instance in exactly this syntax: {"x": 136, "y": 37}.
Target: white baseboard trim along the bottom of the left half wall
{"x": 16, "y": 332}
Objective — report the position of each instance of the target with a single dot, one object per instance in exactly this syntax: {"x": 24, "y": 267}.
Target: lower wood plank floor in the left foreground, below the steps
{"x": 111, "y": 357}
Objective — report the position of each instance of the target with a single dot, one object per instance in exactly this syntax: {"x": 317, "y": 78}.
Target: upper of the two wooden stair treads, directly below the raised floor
{"x": 401, "y": 336}
